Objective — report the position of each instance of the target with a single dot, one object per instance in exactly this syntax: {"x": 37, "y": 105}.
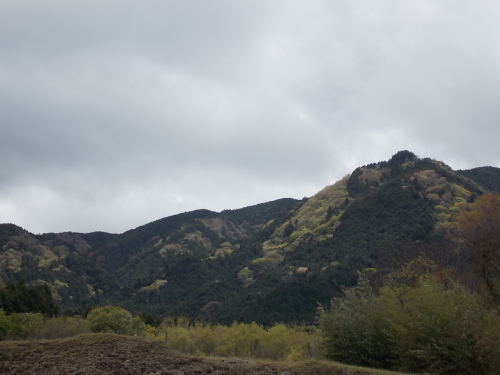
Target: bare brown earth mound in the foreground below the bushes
{"x": 120, "y": 355}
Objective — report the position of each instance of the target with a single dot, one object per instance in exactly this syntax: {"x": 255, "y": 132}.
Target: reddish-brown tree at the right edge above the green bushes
{"x": 478, "y": 233}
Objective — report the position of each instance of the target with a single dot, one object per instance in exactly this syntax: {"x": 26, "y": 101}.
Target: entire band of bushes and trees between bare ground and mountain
{"x": 425, "y": 317}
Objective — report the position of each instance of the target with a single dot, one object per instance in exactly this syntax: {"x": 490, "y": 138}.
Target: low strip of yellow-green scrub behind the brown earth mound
{"x": 279, "y": 342}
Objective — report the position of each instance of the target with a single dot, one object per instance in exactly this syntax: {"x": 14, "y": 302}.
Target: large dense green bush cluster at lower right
{"x": 432, "y": 326}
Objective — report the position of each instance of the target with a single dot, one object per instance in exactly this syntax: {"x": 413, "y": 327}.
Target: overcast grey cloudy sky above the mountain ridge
{"x": 117, "y": 113}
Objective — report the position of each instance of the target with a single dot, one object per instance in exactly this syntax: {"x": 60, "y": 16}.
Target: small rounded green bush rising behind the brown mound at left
{"x": 114, "y": 319}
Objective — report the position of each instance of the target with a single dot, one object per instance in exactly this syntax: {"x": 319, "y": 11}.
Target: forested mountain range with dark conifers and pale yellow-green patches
{"x": 270, "y": 262}
